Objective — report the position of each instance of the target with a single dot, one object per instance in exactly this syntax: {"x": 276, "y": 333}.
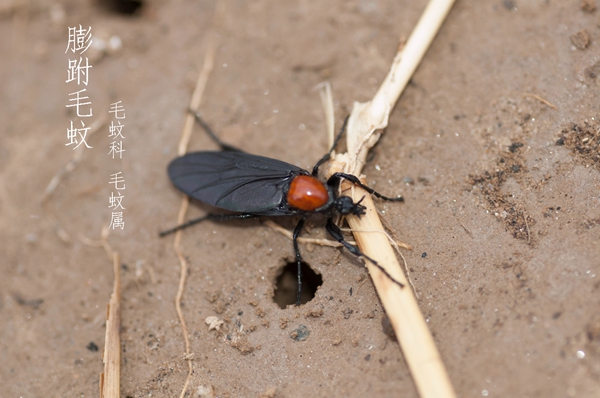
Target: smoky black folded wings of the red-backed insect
{"x": 235, "y": 181}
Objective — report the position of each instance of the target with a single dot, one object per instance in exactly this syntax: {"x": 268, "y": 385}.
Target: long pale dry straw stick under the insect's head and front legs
{"x": 364, "y": 128}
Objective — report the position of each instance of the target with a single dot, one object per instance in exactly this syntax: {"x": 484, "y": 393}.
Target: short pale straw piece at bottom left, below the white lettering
{"x": 109, "y": 379}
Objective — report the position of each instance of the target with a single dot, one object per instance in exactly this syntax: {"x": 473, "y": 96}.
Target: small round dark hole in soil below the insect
{"x": 286, "y": 288}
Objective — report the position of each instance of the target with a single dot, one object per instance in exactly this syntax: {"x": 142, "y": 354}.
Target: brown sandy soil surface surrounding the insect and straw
{"x": 502, "y": 198}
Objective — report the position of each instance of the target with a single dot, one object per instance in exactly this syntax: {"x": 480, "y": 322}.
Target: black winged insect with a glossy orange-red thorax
{"x": 253, "y": 186}
